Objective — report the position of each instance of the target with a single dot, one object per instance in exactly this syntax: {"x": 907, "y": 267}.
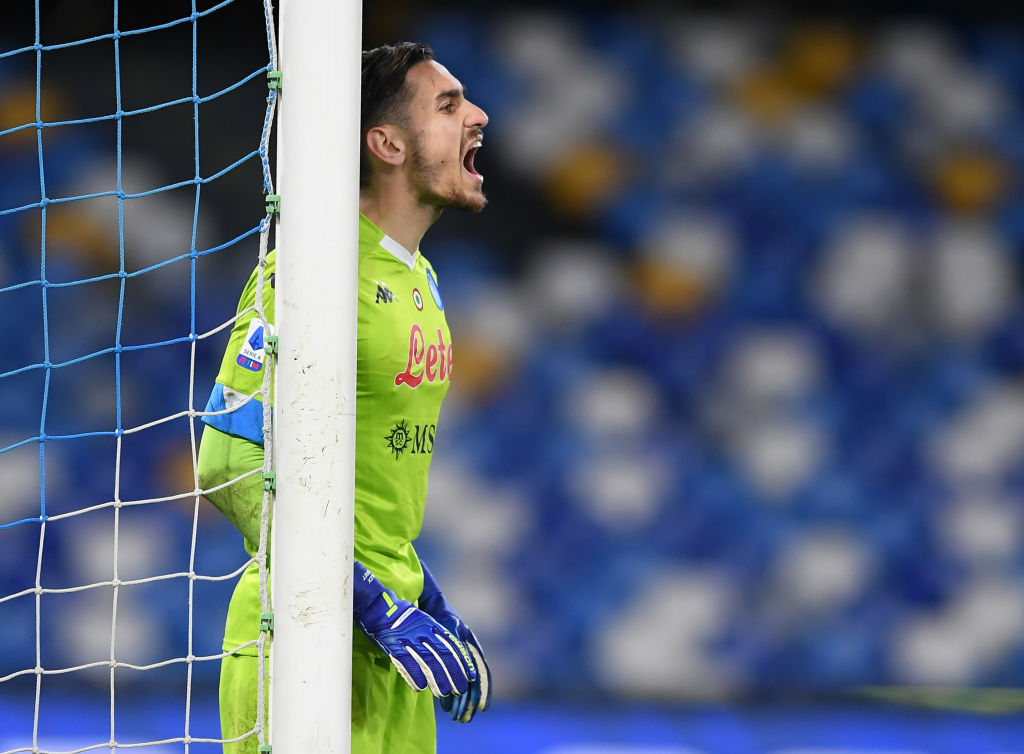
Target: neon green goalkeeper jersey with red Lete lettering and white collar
{"x": 403, "y": 372}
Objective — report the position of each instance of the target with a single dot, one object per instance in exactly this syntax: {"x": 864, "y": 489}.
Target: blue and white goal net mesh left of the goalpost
{"x": 114, "y": 575}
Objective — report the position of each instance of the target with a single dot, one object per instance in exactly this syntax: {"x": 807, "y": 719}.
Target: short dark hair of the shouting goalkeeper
{"x": 386, "y": 95}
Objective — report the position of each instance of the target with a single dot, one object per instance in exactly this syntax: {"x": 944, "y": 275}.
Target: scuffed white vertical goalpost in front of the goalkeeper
{"x": 315, "y": 406}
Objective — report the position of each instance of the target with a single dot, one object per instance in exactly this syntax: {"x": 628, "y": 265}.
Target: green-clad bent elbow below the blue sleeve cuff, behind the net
{"x": 225, "y": 457}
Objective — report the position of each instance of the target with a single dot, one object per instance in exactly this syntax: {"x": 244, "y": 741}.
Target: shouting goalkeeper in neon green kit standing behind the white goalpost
{"x": 419, "y": 139}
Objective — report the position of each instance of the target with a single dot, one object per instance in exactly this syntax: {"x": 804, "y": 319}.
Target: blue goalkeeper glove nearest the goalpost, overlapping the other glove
{"x": 425, "y": 653}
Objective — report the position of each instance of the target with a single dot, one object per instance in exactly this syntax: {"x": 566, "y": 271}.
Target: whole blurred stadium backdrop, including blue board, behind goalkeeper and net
{"x": 737, "y": 420}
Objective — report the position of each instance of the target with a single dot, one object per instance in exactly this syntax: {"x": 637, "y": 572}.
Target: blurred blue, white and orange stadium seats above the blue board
{"x": 738, "y": 403}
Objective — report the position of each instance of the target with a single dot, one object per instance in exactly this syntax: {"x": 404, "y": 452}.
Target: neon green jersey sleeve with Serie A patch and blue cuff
{"x": 236, "y": 406}
